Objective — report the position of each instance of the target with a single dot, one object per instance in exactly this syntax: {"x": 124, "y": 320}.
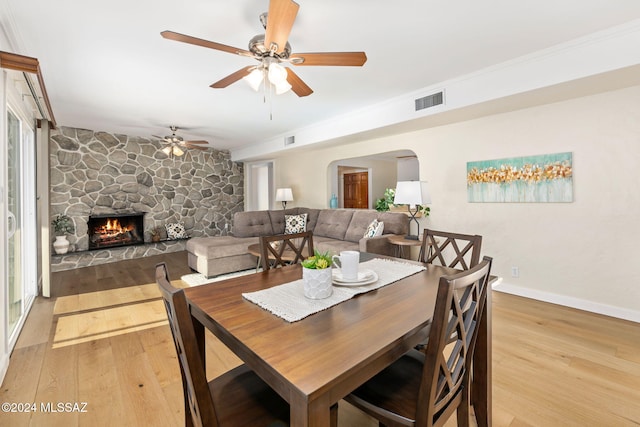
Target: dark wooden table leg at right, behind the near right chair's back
{"x": 481, "y": 395}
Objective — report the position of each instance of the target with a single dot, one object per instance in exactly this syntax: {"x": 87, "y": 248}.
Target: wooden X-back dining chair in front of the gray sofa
{"x": 284, "y": 249}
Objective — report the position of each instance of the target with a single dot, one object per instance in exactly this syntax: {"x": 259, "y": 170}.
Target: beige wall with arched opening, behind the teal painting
{"x": 580, "y": 254}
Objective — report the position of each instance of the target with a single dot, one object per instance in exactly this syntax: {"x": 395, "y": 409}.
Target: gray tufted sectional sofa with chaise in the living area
{"x": 333, "y": 230}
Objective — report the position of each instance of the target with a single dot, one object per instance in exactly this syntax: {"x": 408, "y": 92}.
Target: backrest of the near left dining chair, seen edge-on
{"x": 198, "y": 401}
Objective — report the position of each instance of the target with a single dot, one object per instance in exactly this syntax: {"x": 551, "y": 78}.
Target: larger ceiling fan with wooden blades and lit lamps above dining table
{"x": 271, "y": 49}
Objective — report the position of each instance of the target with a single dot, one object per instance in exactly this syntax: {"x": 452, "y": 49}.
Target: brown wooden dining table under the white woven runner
{"x": 316, "y": 361}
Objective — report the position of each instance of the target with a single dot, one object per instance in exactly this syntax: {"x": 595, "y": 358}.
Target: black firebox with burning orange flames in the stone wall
{"x": 113, "y": 230}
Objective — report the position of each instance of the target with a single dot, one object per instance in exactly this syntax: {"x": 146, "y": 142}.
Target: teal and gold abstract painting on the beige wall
{"x": 531, "y": 179}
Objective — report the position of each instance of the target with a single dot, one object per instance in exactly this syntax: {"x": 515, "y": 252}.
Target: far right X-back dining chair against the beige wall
{"x": 453, "y": 250}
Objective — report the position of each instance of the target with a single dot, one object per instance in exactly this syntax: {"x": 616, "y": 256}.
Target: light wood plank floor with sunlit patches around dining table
{"x": 103, "y": 340}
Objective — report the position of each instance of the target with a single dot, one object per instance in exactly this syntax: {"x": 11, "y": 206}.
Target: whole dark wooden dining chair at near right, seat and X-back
{"x": 424, "y": 389}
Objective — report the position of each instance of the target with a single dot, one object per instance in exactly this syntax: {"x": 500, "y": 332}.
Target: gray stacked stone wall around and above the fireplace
{"x": 94, "y": 173}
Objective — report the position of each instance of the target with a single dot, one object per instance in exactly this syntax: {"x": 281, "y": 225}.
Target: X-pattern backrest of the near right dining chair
{"x": 454, "y": 330}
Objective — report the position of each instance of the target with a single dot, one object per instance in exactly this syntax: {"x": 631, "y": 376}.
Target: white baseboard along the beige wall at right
{"x": 580, "y": 304}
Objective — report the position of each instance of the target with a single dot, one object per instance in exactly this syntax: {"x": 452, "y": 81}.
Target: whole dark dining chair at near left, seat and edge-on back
{"x": 236, "y": 398}
